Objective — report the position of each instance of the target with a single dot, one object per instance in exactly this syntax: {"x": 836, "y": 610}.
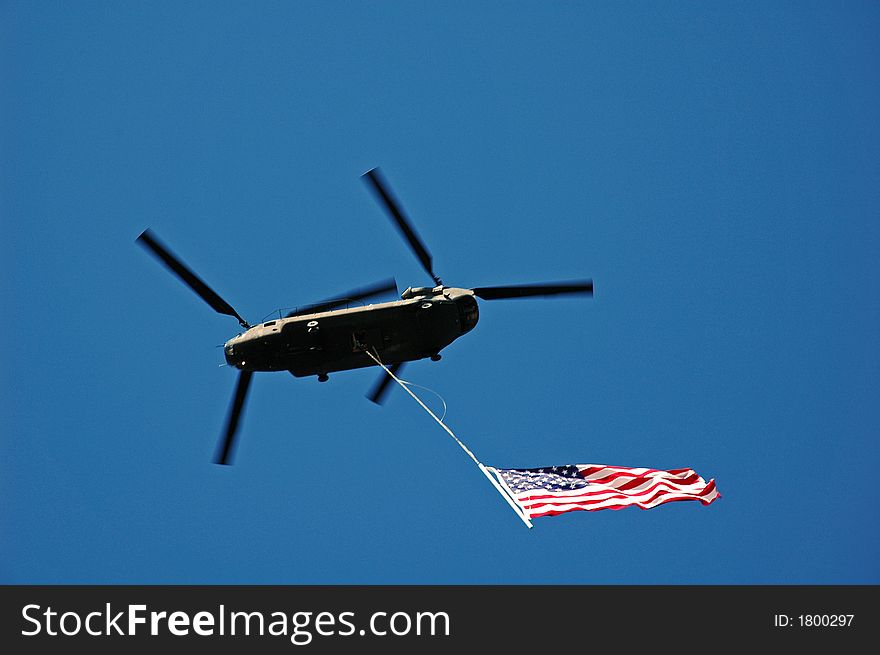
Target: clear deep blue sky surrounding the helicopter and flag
{"x": 714, "y": 168}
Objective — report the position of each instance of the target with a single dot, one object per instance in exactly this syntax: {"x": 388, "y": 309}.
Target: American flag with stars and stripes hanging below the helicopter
{"x": 557, "y": 489}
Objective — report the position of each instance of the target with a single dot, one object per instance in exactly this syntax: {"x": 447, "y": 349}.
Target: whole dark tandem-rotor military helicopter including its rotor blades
{"x": 336, "y": 335}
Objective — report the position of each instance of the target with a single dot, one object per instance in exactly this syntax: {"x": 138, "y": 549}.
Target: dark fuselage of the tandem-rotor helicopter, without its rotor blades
{"x": 420, "y": 325}
